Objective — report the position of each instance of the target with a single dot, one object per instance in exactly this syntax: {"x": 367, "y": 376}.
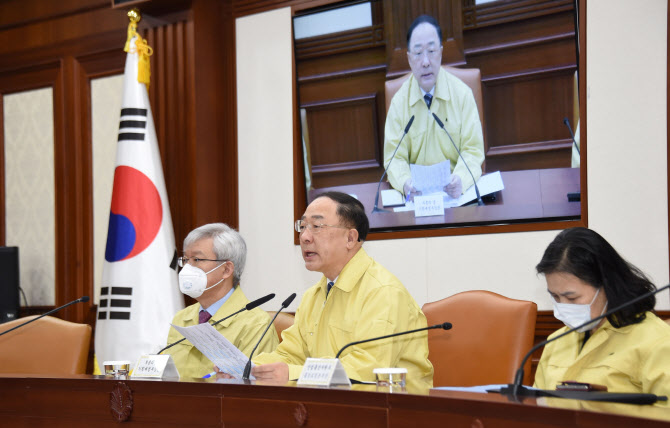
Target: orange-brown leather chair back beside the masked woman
{"x": 490, "y": 335}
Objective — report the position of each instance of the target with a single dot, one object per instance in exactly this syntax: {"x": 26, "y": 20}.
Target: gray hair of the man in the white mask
{"x": 227, "y": 242}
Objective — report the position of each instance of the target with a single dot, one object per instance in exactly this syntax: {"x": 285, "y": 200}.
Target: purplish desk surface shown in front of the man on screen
{"x": 529, "y": 196}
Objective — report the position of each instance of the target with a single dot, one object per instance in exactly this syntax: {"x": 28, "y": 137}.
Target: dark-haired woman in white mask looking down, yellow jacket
{"x": 626, "y": 351}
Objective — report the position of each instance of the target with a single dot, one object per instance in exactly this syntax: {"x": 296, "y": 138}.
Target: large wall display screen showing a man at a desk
{"x": 505, "y": 124}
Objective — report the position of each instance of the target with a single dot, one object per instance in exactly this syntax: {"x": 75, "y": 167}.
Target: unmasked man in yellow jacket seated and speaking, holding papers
{"x": 356, "y": 299}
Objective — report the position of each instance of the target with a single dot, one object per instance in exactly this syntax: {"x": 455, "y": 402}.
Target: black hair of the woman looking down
{"x": 588, "y": 256}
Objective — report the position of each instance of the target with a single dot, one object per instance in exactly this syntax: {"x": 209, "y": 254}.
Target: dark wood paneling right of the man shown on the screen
{"x": 528, "y": 63}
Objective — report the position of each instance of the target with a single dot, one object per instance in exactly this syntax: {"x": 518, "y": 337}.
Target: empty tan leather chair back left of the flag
{"x": 46, "y": 346}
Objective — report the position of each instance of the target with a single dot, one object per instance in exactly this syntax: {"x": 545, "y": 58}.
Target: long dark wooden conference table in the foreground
{"x": 99, "y": 401}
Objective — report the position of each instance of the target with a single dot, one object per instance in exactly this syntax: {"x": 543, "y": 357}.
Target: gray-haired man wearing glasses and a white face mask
{"x": 212, "y": 264}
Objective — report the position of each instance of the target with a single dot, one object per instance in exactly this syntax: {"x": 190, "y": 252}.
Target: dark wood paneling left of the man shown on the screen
{"x": 341, "y": 86}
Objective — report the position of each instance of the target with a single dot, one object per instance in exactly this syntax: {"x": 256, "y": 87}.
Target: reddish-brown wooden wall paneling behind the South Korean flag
{"x": 65, "y": 45}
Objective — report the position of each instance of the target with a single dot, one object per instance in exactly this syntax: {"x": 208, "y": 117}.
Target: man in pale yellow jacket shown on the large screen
{"x": 431, "y": 89}
